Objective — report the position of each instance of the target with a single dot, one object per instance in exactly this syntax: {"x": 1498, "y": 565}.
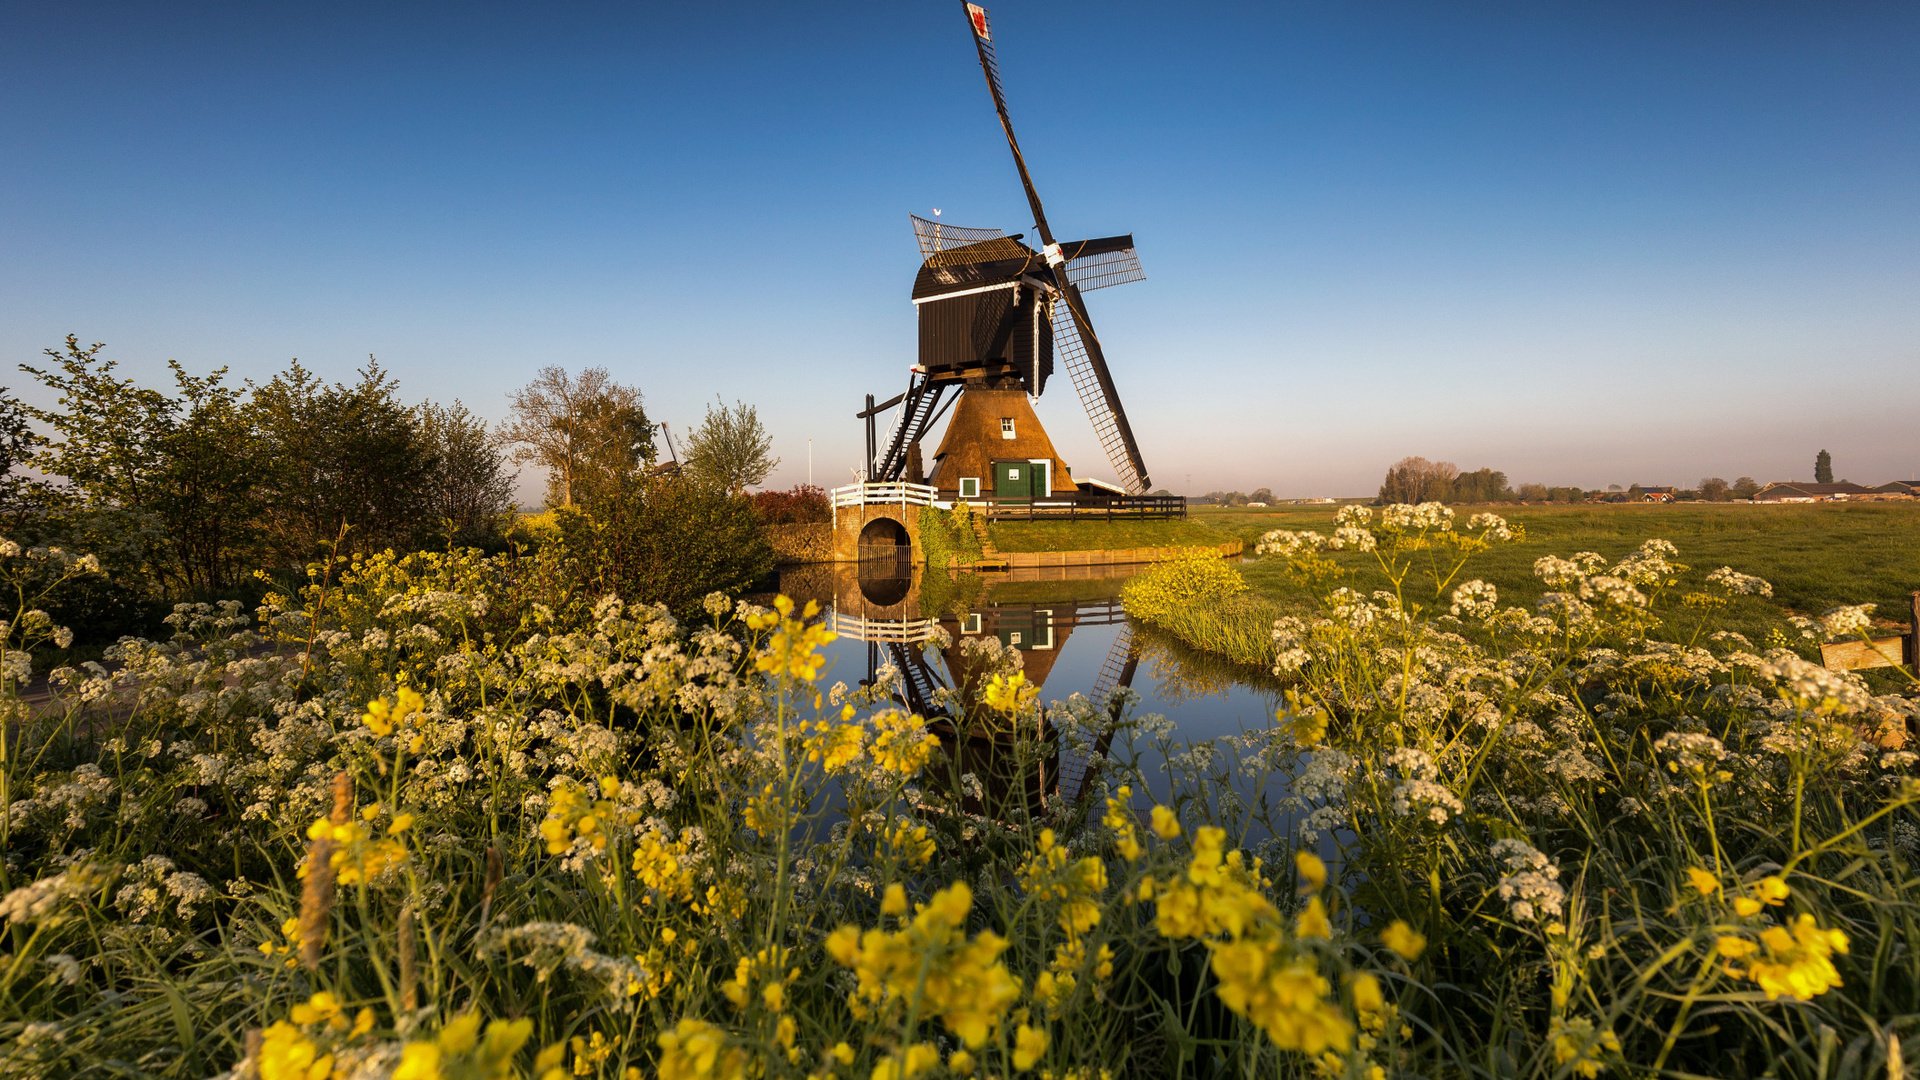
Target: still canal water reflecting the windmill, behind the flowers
{"x": 1070, "y": 631}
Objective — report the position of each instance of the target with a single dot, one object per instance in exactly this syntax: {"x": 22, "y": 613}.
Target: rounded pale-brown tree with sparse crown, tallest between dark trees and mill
{"x": 587, "y": 431}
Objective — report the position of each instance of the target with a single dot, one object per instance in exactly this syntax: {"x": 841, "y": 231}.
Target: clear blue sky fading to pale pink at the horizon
{"x": 1581, "y": 243}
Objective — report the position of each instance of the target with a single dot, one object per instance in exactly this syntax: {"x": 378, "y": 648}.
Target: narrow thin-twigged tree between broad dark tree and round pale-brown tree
{"x": 468, "y": 485}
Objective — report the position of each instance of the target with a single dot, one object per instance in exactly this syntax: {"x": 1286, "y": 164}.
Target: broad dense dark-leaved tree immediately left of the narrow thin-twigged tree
{"x": 341, "y": 460}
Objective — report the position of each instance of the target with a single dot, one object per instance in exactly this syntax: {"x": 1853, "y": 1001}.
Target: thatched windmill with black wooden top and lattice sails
{"x": 994, "y": 316}
